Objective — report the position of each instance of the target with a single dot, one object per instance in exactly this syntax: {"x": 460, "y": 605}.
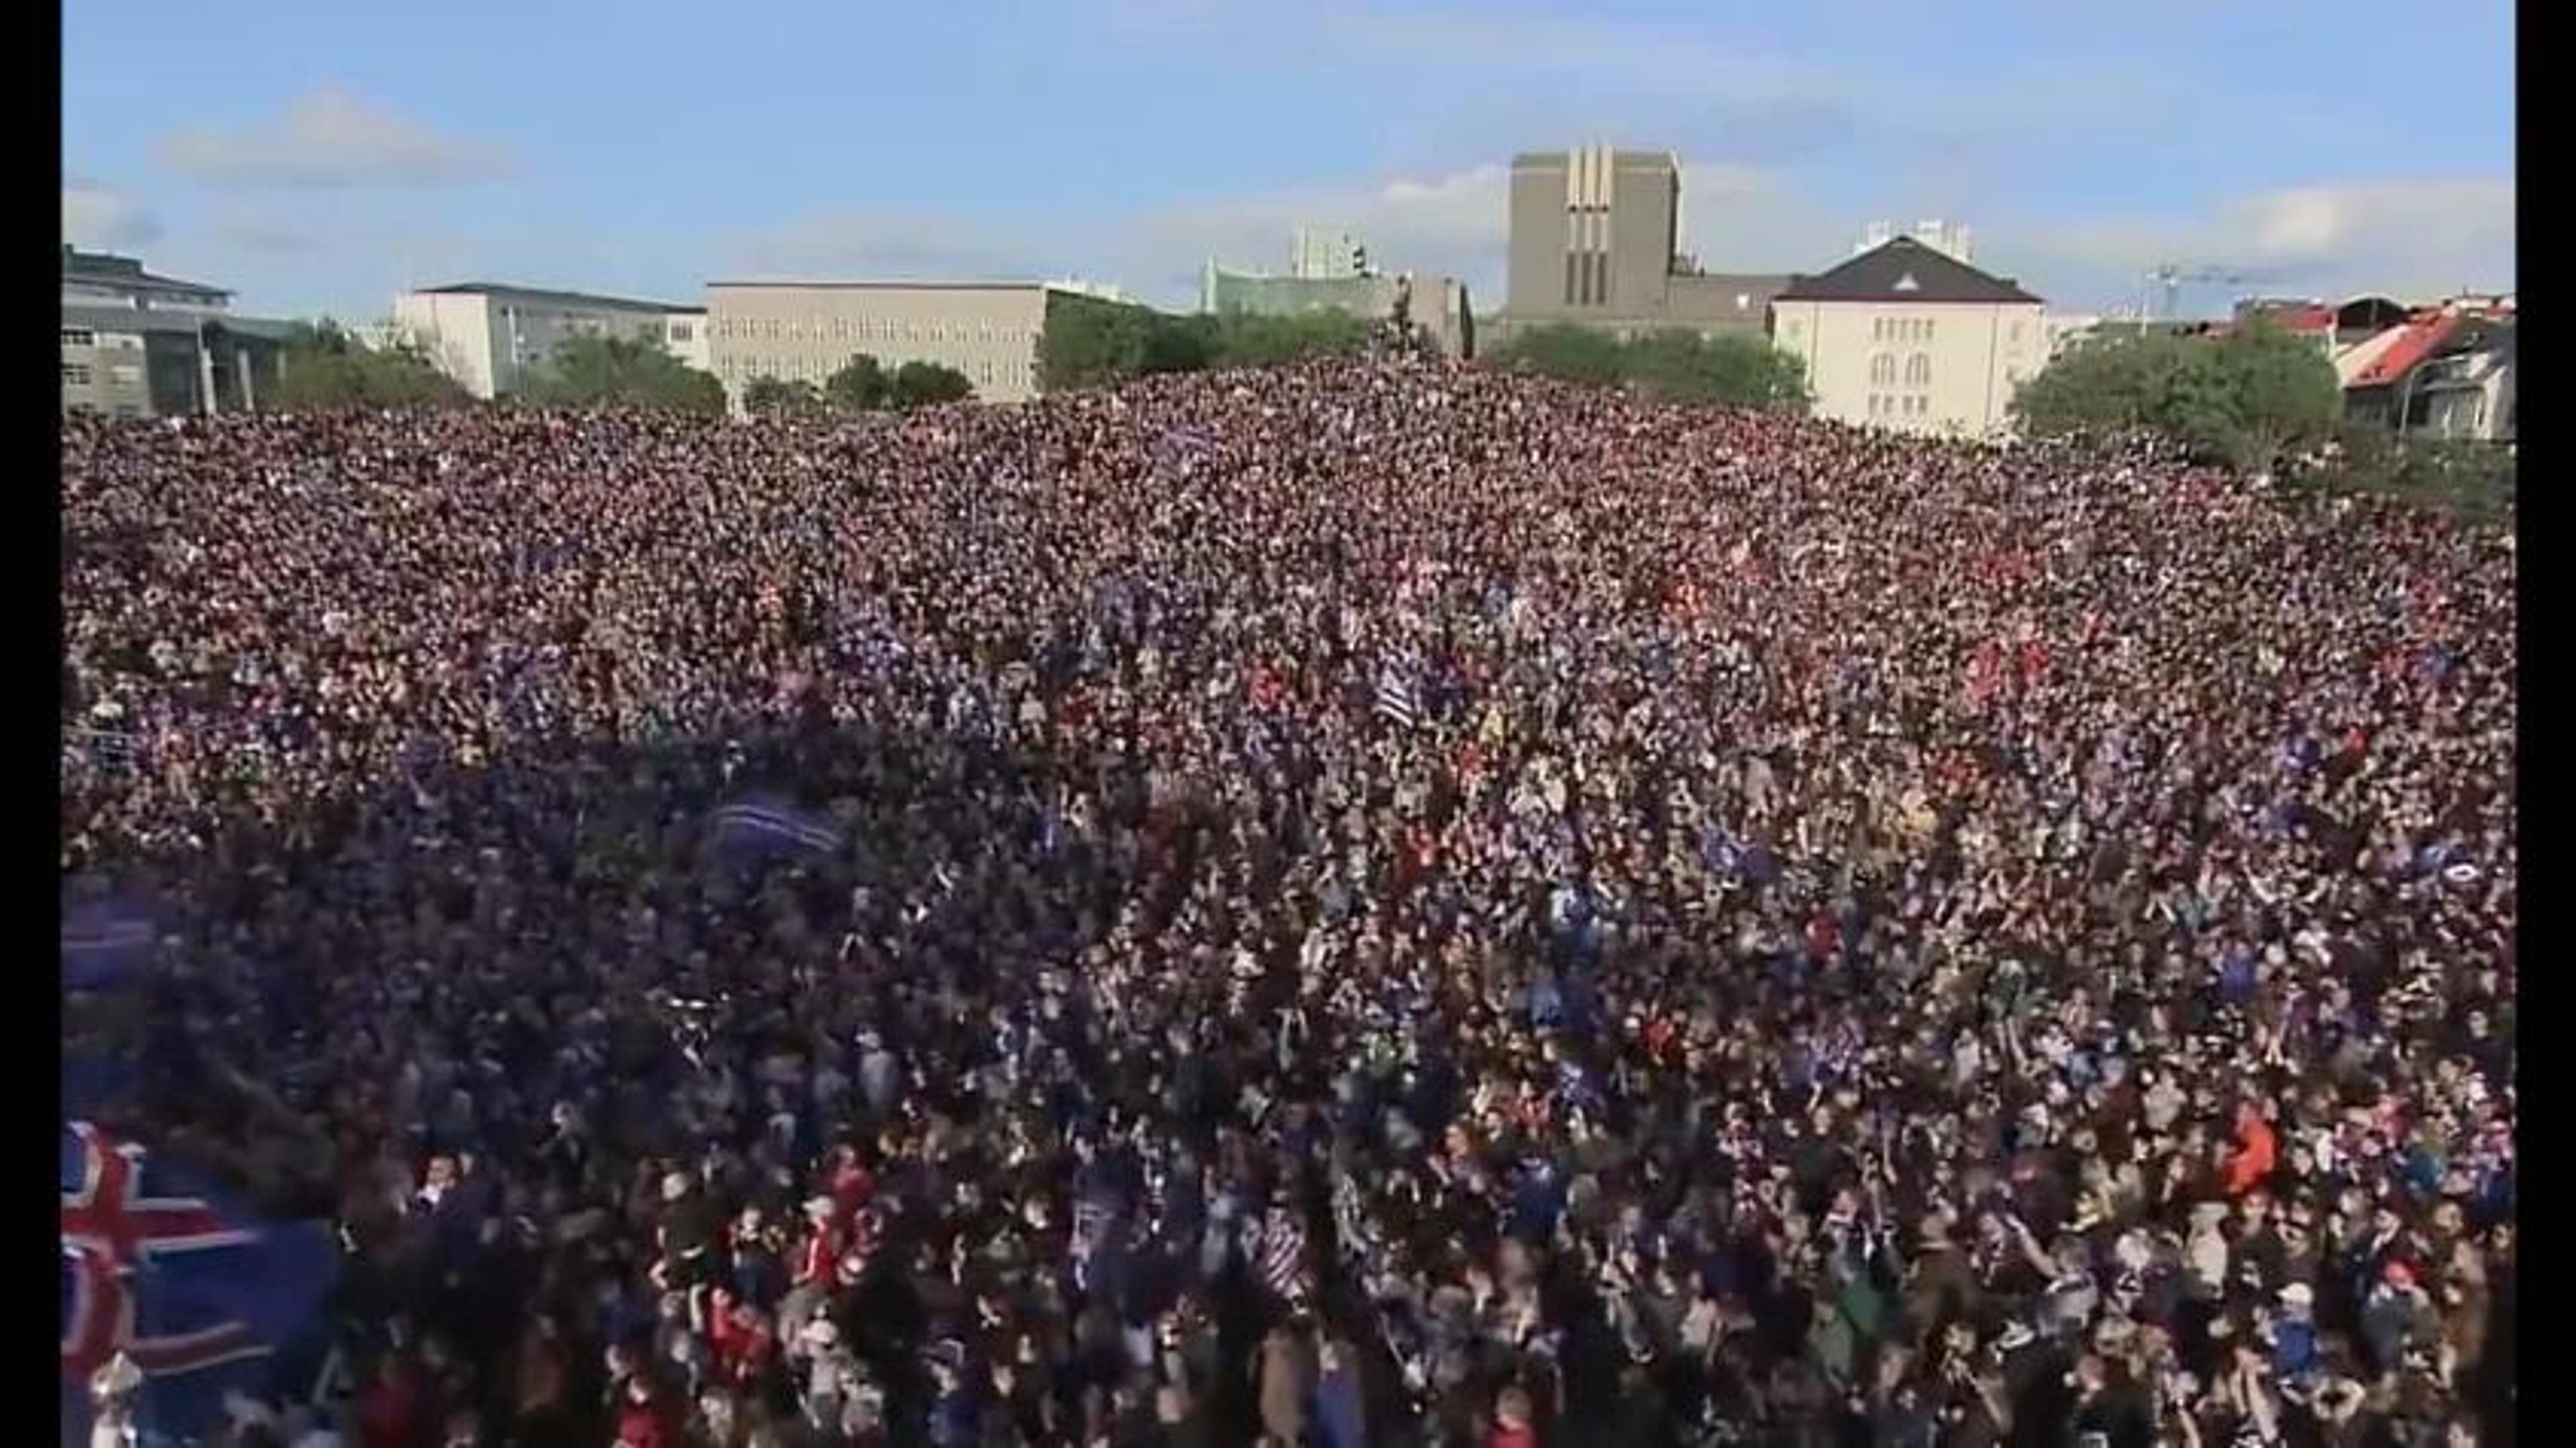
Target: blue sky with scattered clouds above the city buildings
{"x": 323, "y": 158}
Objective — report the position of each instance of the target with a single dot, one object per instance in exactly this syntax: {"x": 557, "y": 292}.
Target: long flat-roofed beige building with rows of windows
{"x": 805, "y": 331}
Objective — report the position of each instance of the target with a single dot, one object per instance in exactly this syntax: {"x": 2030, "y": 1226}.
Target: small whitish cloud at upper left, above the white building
{"x": 331, "y": 140}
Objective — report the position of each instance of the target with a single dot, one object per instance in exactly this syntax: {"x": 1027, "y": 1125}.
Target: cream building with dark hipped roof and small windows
{"x": 1915, "y": 341}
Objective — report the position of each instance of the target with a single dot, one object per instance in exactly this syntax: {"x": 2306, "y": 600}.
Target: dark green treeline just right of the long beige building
{"x": 1091, "y": 341}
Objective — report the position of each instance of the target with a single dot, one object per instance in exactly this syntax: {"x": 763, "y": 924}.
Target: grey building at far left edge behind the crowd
{"x": 153, "y": 347}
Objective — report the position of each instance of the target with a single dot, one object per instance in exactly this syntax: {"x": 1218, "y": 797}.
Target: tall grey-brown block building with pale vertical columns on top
{"x": 1596, "y": 243}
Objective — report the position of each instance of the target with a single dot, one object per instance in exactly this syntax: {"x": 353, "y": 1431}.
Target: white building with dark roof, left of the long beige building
{"x": 491, "y": 339}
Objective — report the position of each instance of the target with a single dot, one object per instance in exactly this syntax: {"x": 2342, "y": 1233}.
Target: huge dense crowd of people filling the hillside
{"x": 1369, "y": 903}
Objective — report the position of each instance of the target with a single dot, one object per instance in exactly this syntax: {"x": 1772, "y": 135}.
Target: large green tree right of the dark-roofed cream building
{"x": 2248, "y": 398}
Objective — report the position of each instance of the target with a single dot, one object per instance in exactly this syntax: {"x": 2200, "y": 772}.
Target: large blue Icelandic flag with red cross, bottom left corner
{"x": 192, "y": 1295}
